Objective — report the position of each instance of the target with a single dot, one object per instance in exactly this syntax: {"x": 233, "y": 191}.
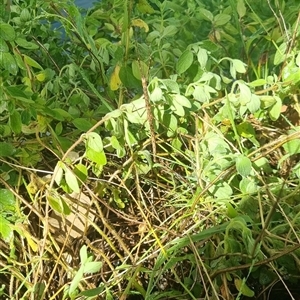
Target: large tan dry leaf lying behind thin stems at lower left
{"x": 77, "y": 222}
